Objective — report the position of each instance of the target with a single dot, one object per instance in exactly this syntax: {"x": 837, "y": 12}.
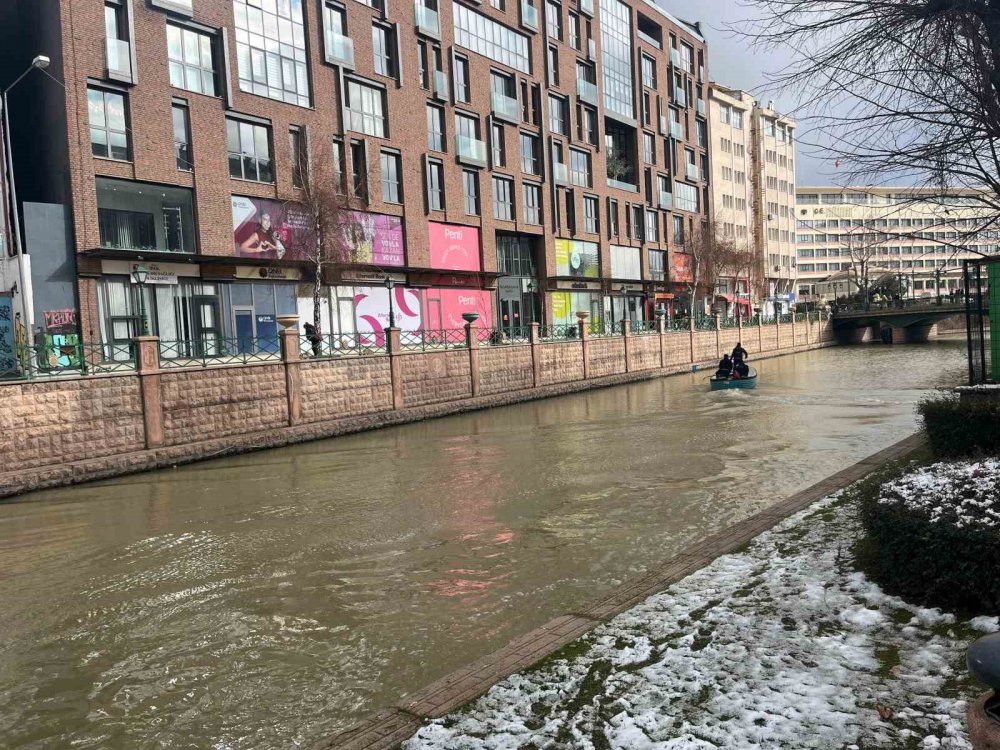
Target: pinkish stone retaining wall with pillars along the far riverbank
{"x": 75, "y": 429}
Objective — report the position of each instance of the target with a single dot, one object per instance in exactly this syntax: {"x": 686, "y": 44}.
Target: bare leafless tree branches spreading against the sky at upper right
{"x": 895, "y": 90}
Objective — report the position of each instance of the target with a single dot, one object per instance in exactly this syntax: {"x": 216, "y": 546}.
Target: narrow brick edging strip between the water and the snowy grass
{"x": 388, "y": 729}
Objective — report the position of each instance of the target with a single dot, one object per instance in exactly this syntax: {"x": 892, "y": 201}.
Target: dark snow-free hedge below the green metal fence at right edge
{"x": 956, "y": 429}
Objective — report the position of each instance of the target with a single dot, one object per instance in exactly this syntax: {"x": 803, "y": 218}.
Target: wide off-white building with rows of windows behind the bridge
{"x": 917, "y": 237}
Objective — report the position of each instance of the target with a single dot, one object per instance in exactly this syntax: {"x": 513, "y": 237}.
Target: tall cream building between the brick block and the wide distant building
{"x": 753, "y": 188}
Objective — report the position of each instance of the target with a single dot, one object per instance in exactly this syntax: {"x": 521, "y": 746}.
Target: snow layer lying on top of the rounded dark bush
{"x": 962, "y": 493}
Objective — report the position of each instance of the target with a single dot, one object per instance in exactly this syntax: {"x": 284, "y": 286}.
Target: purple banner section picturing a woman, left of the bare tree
{"x": 270, "y": 229}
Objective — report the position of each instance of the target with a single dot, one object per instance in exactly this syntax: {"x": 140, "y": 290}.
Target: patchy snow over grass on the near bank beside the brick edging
{"x": 784, "y": 645}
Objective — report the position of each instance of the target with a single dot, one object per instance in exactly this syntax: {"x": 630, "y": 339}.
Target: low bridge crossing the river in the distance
{"x": 904, "y": 322}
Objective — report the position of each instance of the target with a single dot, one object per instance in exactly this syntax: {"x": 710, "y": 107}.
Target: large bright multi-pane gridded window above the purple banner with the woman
{"x": 271, "y": 50}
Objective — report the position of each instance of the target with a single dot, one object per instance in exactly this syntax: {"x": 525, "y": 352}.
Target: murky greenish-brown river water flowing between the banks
{"x": 267, "y": 600}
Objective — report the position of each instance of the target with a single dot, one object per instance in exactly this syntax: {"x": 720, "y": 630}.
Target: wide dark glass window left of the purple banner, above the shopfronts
{"x": 140, "y": 216}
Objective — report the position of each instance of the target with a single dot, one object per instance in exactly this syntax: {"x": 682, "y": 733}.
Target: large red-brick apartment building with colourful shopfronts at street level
{"x": 473, "y": 138}
